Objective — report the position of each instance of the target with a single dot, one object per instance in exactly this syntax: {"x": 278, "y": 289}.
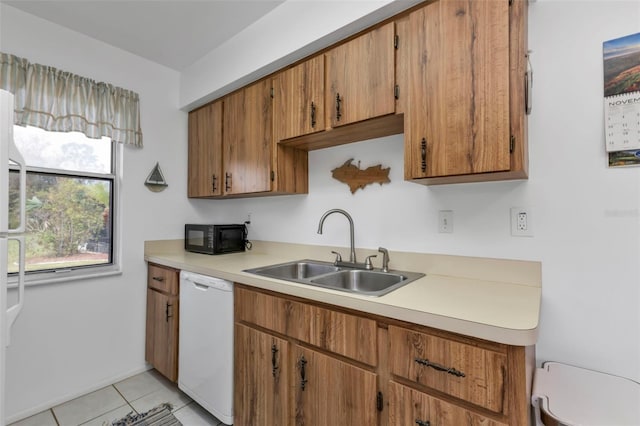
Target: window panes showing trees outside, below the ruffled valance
{"x": 71, "y": 186}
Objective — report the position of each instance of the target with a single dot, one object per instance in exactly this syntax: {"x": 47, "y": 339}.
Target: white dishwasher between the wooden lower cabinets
{"x": 205, "y": 357}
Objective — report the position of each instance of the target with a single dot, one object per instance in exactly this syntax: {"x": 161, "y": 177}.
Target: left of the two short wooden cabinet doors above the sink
{"x": 298, "y": 101}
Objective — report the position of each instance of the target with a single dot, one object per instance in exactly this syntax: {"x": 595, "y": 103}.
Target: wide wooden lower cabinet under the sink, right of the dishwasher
{"x": 300, "y": 362}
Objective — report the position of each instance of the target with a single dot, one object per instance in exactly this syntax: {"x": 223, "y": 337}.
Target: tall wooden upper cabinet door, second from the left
{"x": 247, "y": 140}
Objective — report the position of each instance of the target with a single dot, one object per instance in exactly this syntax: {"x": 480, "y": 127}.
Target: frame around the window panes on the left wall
{"x": 51, "y": 276}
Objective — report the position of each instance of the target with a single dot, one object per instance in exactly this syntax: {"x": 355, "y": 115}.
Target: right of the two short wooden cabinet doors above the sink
{"x": 360, "y": 77}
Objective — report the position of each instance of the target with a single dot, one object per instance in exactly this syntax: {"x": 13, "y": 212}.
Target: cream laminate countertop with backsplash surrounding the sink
{"x": 492, "y": 299}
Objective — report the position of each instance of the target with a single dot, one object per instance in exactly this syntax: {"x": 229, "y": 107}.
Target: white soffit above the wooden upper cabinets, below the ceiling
{"x": 293, "y": 30}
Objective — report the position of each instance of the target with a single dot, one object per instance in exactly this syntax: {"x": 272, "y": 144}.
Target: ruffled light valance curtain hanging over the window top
{"x": 60, "y": 101}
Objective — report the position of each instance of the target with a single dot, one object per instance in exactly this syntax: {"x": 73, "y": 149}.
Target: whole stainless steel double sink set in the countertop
{"x": 324, "y": 274}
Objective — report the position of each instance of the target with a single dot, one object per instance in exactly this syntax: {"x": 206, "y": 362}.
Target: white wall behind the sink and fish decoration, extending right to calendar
{"x": 586, "y": 217}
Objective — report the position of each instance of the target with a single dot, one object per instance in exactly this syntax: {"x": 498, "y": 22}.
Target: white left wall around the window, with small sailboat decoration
{"x": 73, "y": 337}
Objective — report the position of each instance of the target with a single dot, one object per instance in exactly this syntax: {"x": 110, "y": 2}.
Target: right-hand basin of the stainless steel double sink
{"x": 360, "y": 281}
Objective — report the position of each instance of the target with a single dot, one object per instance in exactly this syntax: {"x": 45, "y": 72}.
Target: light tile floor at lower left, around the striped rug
{"x": 138, "y": 393}
